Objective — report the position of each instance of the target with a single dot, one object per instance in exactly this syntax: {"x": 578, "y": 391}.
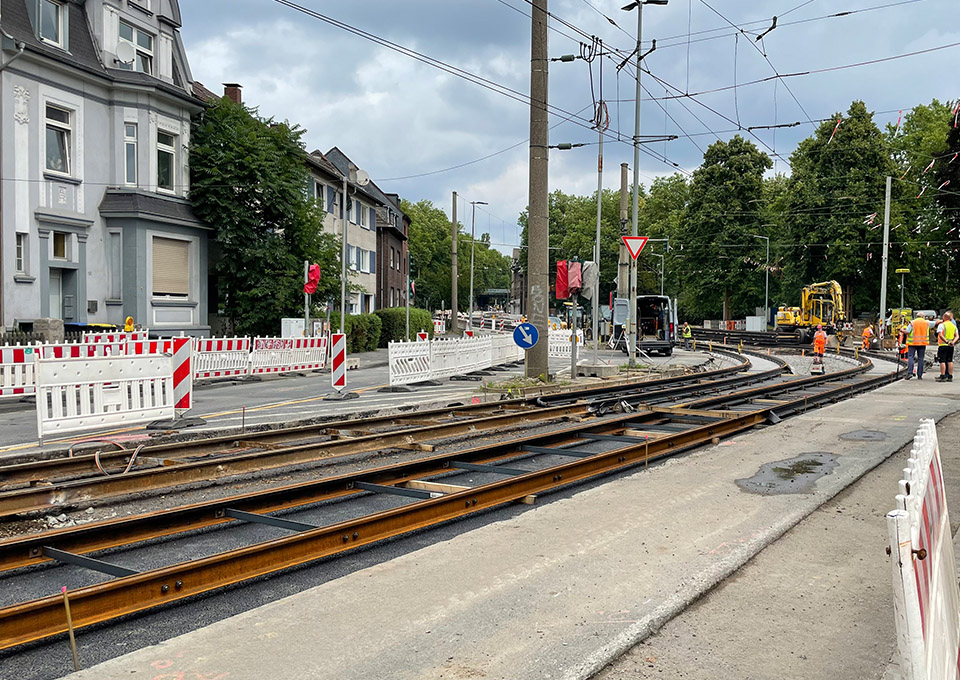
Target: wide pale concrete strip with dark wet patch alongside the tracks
{"x": 560, "y": 590}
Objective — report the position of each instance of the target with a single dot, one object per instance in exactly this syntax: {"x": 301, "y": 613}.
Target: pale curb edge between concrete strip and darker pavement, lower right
{"x": 716, "y": 574}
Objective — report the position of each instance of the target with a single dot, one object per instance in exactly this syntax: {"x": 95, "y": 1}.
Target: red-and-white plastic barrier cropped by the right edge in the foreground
{"x": 926, "y": 596}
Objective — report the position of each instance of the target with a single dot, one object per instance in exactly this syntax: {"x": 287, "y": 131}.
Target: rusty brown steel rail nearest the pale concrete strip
{"x": 42, "y": 618}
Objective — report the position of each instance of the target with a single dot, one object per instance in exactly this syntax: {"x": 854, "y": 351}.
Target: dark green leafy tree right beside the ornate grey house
{"x": 249, "y": 183}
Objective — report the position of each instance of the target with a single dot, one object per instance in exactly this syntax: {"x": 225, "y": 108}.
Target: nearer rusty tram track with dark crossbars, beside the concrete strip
{"x": 427, "y": 491}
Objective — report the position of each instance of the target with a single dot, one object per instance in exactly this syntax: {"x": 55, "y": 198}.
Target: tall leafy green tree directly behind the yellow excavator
{"x": 837, "y": 182}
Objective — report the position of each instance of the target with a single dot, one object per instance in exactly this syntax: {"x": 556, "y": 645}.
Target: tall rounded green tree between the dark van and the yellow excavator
{"x": 722, "y": 213}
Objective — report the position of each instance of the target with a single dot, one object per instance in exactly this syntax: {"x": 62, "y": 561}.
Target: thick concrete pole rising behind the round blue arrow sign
{"x": 538, "y": 242}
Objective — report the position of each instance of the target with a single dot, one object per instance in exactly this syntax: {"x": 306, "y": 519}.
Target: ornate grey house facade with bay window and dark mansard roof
{"x": 94, "y": 222}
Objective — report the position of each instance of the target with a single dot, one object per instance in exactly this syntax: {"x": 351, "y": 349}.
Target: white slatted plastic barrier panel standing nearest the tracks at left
{"x": 76, "y": 395}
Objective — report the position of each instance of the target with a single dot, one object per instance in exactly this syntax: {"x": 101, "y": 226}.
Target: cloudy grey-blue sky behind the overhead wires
{"x": 397, "y": 117}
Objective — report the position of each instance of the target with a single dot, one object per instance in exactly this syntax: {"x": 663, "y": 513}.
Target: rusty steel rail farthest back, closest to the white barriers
{"x": 44, "y": 470}
